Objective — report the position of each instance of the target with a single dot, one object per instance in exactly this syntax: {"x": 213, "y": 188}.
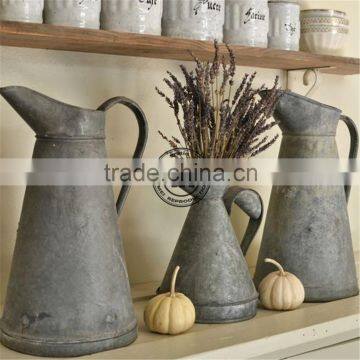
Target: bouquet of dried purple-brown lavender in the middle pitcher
{"x": 216, "y": 119}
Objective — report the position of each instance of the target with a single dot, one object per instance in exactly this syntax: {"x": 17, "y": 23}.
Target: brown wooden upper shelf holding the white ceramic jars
{"x": 107, "y": 42}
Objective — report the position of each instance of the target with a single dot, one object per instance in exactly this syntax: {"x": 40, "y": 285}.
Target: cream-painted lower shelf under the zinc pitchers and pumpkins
{"x": 270, "y": 334}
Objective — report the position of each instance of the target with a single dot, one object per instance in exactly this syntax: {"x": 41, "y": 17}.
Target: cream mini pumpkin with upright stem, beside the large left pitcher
{"x": 170, "y": 313}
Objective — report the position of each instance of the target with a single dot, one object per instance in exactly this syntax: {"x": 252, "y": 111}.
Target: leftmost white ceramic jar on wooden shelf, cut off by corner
{"x": 22, "y": 10}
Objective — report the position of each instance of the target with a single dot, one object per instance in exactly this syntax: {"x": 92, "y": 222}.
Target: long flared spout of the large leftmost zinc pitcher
{"x": 51, "y": 118}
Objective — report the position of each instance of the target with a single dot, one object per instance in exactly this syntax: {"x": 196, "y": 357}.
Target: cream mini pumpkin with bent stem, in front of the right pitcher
{"x": 281, "y": 290}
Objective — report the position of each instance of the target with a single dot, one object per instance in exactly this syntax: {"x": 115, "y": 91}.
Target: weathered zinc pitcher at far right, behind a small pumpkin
{"x": 307, "y": 227}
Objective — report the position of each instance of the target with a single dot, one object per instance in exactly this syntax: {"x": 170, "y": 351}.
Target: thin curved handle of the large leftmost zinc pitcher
{"x": 141, "y": 143}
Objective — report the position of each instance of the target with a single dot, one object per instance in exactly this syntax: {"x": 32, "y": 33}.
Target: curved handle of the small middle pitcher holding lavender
{"x": 251, "y": 203}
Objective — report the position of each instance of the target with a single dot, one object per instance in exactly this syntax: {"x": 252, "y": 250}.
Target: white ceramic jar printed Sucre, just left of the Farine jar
{"x": 194, "y": 19}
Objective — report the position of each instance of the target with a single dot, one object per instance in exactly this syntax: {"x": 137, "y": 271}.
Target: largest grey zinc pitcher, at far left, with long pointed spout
{"x": 68, "y": 292}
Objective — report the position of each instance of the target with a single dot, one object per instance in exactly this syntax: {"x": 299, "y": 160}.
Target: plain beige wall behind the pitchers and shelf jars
{"x": 149, "y": 227}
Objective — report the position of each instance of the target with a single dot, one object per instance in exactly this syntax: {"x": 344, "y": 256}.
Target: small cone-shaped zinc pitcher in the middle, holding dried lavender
{"x": 214, "y": 273}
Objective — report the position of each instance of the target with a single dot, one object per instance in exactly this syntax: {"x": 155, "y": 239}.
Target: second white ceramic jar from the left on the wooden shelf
{"x": 77, "y": 13}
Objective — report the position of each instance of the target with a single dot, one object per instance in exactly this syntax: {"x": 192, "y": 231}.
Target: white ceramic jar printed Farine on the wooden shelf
{"x": 247, "y": 22}
